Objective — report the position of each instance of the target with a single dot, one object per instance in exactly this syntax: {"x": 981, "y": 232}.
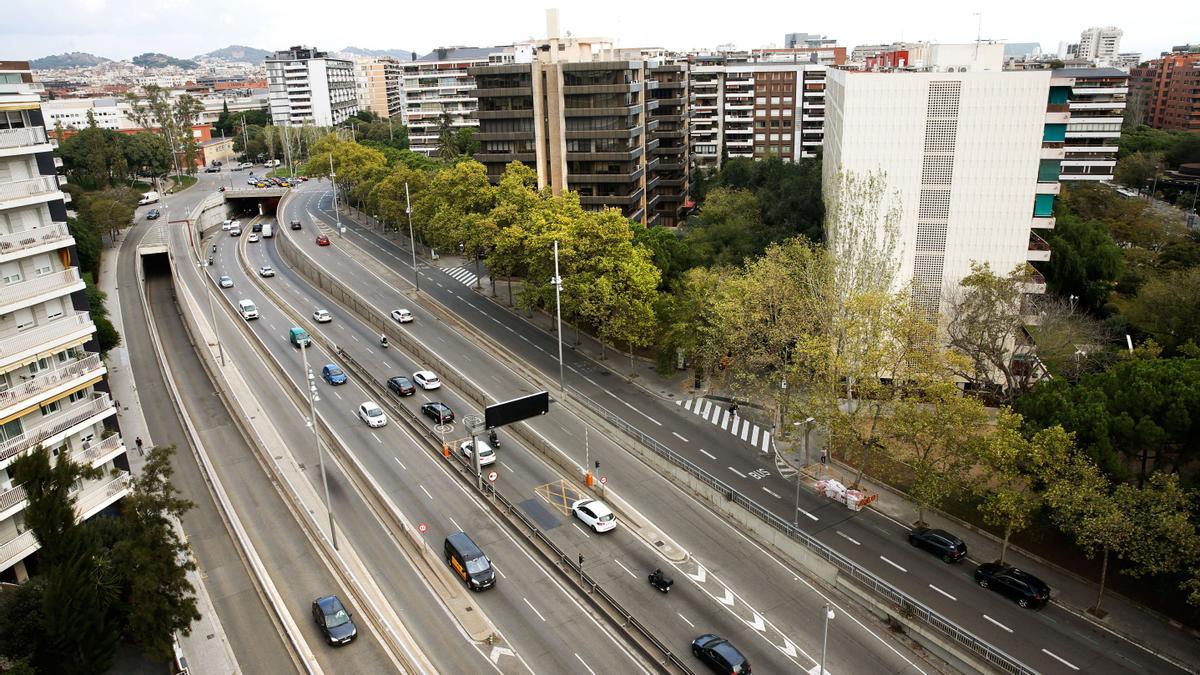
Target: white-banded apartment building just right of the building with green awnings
{"x": 1096, "y": 103}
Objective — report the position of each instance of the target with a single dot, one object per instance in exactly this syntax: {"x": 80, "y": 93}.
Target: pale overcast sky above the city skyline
{"x": 119, "y": 29}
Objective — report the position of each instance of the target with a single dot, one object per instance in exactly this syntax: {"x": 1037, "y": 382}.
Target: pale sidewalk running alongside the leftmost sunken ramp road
{"x": 207, "y": 648}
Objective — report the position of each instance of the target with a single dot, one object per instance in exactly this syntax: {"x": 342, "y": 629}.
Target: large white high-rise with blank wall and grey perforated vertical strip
{"x": 973, "y": 158}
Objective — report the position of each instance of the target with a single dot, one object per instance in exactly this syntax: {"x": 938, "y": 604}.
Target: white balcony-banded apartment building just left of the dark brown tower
{"x": 440, "y": 85}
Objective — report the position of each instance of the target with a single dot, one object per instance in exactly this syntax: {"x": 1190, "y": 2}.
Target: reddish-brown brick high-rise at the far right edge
{"x": 1167, "y": 91}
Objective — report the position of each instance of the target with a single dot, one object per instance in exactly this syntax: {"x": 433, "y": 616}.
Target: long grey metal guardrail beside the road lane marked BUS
{"x": 904, "y": 604}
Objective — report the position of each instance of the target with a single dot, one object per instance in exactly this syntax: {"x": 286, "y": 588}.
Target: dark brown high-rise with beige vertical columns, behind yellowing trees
{"x": 585, "y": 118}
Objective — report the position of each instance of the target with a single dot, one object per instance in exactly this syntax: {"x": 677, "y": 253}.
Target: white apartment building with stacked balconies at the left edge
{"x": 53, "y": 392}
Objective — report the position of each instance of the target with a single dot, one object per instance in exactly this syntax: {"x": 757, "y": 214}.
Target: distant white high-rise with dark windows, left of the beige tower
{"x": 309, "y": 87}
